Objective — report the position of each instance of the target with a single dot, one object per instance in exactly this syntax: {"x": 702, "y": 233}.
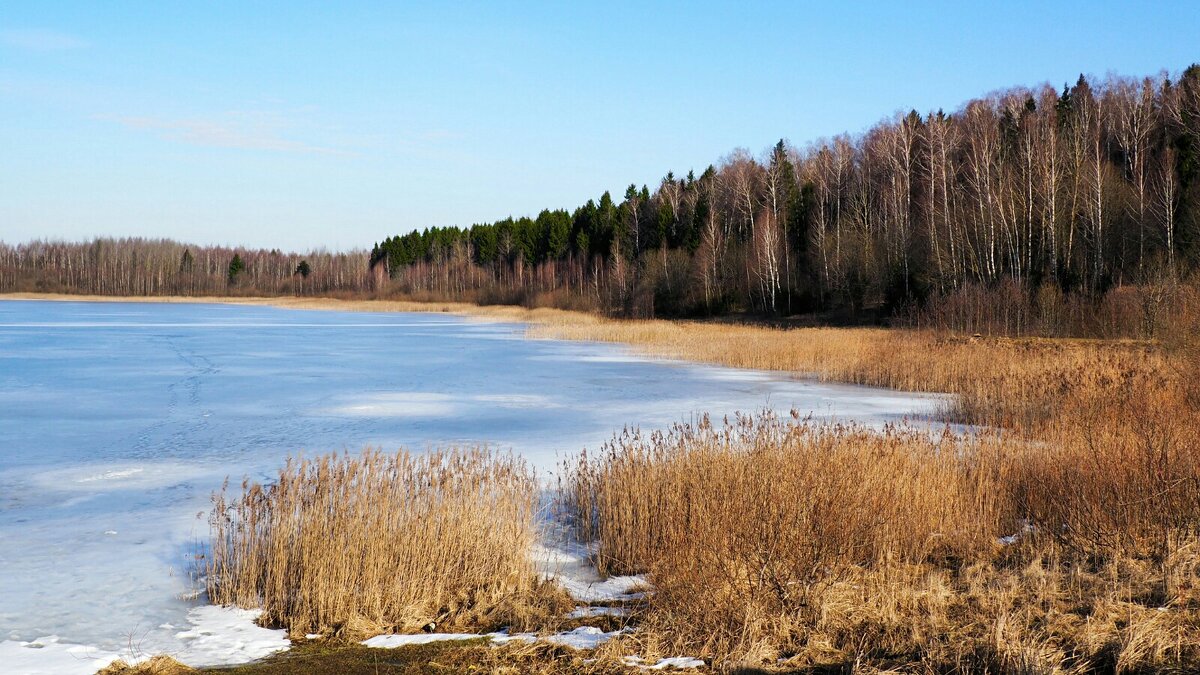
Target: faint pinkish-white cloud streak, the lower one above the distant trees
{"x": 220, "y": 134}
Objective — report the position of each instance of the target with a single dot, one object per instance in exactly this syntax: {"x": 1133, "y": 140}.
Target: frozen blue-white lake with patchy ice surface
{"x": 119, "y": 420}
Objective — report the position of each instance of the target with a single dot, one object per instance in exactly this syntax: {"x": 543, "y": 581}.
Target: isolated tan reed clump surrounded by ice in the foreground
{"x": 382, "y": 542}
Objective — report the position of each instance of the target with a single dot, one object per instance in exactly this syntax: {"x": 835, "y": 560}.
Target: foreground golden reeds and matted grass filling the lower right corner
{"x": 773, "y": 541}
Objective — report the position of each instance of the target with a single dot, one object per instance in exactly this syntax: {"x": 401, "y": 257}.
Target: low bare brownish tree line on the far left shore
{"x": 163, "y": 267}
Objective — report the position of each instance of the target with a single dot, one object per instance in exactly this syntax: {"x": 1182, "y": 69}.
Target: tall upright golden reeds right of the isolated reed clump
{"x": 849, "y": 497}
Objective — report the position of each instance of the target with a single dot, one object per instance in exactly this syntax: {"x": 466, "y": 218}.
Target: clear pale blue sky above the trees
{"x": 299, "y": 126}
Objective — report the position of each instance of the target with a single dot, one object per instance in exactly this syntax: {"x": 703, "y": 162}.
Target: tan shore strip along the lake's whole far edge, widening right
{"x": 997, "y": 381}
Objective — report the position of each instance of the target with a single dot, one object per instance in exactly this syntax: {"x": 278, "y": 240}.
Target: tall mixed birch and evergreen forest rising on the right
{"x": 1075, "y": 192}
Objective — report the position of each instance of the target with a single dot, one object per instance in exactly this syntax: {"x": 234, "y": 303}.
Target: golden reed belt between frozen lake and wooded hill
{"x": 995, "y": 381}
